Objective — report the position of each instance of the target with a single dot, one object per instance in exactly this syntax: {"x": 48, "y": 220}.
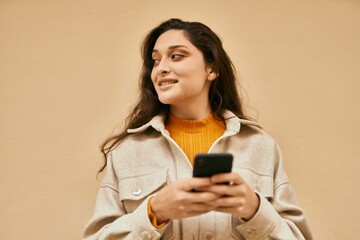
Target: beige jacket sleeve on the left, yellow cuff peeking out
{"x": 110, "y": 219}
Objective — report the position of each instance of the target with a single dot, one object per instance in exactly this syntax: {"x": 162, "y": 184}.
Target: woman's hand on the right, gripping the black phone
{"x": 237, "y": 197}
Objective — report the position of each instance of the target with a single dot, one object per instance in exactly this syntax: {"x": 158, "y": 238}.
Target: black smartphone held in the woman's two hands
{"x": 208, "y": 164}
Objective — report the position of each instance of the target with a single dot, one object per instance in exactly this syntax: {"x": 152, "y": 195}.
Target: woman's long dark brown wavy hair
{"x": 223, "y": 93}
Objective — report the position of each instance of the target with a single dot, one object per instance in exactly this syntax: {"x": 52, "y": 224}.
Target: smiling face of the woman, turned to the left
{"x": 180, "y": 75}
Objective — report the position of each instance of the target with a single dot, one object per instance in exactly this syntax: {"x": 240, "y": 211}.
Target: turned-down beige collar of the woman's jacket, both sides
{"x": 233, "y": 123}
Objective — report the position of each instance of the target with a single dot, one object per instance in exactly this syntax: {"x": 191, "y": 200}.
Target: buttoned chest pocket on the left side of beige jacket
{"x": 133, "y": 190}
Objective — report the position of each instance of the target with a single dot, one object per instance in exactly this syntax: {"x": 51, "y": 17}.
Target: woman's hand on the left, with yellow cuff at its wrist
{"x": 177, "y": 200}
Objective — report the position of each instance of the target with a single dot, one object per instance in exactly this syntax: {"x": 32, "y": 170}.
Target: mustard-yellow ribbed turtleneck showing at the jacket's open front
{"x": 195, "y": 136}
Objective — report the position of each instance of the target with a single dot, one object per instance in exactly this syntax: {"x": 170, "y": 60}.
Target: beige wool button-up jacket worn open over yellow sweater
{"x": 149, "y": 159}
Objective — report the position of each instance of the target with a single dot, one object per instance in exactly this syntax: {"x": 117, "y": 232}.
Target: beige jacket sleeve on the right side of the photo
{"x": 278, "y": 217}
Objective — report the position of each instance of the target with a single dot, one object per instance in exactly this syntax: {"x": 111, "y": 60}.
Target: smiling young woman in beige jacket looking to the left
{"x": 189, "y": 104}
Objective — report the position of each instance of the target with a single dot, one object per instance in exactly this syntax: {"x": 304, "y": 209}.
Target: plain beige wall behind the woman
{"x": 68, "y": 72}
